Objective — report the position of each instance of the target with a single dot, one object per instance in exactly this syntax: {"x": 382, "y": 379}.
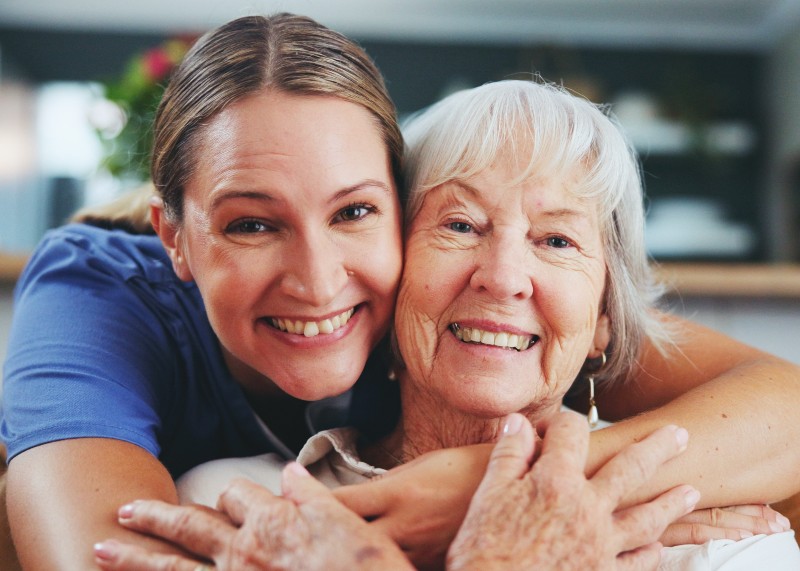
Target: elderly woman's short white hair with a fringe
{"x": 466, "y": 132}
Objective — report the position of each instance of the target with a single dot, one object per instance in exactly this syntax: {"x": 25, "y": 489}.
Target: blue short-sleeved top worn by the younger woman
{"x": 107, "y": 342}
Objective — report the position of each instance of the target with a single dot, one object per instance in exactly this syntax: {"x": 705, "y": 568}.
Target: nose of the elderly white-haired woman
{"x": 502, "y": 268}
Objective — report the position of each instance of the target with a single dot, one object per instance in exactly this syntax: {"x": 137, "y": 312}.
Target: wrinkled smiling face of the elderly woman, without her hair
{"x": 500, "y": 298}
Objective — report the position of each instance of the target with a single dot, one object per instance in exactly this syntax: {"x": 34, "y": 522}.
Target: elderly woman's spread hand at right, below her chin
{"x": 550, "y": 516}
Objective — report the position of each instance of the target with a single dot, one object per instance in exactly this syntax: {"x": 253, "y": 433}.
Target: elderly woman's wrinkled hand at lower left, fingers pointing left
{"x": 307, "y": 528}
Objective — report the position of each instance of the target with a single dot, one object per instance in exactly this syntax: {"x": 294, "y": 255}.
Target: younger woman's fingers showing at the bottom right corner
{"x": 734, "y": 522}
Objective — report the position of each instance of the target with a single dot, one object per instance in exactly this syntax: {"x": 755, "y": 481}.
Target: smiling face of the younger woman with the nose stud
{"x": 292, "y": 232}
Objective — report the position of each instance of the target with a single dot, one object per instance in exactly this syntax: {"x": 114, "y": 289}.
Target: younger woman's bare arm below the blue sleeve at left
{"x": 64, "y": 496}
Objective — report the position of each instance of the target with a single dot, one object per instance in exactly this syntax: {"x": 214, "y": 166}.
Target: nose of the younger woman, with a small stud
{"x": 314, "y": 272}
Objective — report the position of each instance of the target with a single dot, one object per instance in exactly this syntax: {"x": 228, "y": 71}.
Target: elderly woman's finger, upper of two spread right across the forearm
{"x": 638, "y": 463}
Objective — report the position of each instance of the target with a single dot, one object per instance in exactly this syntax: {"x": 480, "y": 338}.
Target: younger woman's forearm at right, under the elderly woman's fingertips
{"x": 743, "y": 434}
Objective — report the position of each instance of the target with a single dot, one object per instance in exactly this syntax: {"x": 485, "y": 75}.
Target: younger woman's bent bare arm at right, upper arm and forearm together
{"x": 739, "y": 405}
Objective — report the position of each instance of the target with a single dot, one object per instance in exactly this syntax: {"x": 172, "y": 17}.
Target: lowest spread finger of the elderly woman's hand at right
{"x": 643, "y": 524}
